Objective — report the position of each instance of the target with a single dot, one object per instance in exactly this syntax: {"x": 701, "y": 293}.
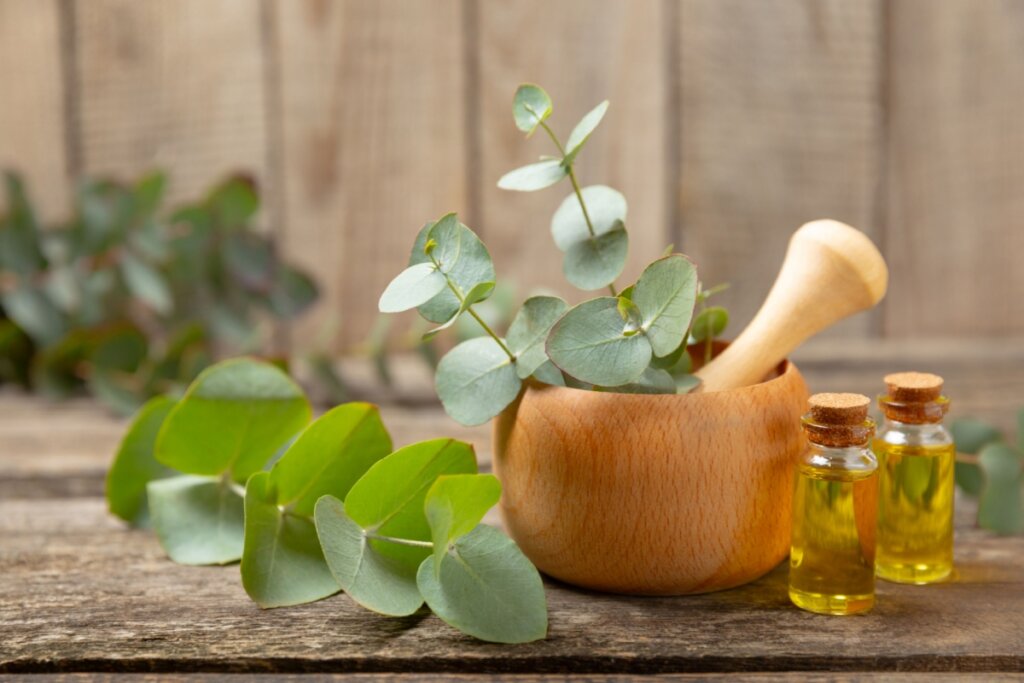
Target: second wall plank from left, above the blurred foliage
{"x": 179, "y": 87}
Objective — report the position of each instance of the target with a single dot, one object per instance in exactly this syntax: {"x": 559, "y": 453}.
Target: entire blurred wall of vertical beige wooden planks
{"x": 733, "y": 122}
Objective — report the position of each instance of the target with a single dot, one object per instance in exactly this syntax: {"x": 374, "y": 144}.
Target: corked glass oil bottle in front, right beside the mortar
{"x": 832, "y": 560}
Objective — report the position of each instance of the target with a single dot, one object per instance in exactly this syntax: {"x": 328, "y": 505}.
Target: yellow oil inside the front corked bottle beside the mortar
{"x": 832, "y": 562}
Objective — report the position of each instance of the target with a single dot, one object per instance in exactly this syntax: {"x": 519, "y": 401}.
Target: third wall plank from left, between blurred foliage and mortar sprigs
{"x": 373, "y": 129}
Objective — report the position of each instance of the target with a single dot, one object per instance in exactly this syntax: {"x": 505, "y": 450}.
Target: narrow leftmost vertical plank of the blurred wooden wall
{"x": 32, "y": 103}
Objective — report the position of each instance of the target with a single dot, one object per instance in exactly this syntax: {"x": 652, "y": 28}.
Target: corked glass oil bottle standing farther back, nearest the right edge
{"x": 916, "y": 462}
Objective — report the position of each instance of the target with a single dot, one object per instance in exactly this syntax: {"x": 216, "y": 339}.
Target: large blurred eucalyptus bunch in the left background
{"x": 129, "y": 301}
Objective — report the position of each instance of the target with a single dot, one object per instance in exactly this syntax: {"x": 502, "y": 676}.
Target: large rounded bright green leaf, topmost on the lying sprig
{"x": 235, "y": 417}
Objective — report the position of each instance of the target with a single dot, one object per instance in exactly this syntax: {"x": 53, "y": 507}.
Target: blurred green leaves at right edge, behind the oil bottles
{"x": 992, "y": 468}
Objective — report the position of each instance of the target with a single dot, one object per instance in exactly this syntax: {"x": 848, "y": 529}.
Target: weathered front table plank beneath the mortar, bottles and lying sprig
{"x": 81, "y": 592}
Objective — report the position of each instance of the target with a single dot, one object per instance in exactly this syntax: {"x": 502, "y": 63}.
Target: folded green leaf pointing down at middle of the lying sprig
{"x": 282, "y": 562}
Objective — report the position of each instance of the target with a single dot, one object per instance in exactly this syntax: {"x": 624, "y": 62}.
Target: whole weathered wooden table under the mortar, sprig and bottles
{"x": 79, "y": 592}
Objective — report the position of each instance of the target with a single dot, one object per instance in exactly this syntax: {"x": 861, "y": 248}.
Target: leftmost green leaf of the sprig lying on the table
{"x": 135, "y": 465}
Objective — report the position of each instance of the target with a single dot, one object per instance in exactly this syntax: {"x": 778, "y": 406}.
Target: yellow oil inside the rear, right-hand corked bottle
{"x": 916, "y": 513}
